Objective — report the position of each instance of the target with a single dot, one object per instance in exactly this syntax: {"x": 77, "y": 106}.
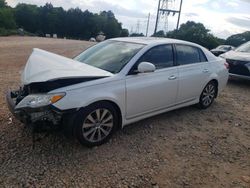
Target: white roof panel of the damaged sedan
{"x": 152, "y": 40}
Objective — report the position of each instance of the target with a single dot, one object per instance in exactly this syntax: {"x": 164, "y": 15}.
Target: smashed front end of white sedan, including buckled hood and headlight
{"x": 44, "y": 73}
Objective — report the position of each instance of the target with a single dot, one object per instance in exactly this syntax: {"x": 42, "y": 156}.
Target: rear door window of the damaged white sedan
{"x": 188, "y": 55}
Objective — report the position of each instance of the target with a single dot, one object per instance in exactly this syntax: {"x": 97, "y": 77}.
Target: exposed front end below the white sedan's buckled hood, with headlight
{"x": 32, "y": 110}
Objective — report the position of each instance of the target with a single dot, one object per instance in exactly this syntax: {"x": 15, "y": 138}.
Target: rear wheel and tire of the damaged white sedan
{"x": 208, "y": 95}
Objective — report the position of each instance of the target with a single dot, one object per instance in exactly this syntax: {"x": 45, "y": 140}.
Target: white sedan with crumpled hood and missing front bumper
{"x": 115, "y": 83}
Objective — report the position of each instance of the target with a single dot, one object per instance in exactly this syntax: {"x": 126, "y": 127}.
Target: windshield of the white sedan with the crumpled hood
{"x": 109, "y": 55}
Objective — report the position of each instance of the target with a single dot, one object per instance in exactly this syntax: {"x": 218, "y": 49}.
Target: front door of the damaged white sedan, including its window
{"x": 148, "y": 92}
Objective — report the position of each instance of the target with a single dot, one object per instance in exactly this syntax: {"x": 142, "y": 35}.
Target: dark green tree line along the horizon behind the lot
{"x": 77, "y": 24}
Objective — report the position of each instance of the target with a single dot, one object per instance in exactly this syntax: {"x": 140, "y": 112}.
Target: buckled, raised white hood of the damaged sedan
{"x": 44, "y": 66}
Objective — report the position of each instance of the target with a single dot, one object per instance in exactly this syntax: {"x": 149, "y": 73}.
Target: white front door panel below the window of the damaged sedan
{"x": 143, "y": 89}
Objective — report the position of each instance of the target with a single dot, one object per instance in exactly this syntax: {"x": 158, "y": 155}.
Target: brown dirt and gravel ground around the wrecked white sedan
{"x": 183, "y": 148}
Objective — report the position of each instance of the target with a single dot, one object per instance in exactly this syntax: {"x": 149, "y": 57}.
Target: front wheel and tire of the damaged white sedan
{"x": 95, "y": 124}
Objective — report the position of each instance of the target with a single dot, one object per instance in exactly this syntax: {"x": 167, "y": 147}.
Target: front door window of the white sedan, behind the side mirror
{"x": 161, "y": 56}
